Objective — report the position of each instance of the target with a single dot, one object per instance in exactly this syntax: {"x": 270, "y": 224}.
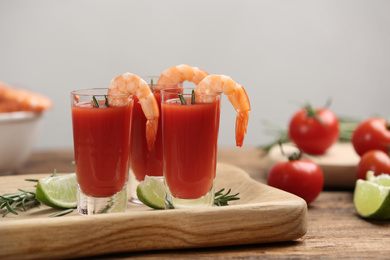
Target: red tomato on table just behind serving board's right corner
{"x": 299, "y": 176}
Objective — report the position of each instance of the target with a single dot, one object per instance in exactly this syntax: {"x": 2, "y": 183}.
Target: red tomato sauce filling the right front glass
{"x": 190, "y": 147}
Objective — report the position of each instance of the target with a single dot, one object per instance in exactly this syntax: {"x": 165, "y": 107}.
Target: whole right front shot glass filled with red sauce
{"x": 190, "y": 125}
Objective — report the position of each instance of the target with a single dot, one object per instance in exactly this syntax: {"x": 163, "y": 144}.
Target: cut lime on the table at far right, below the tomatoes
{"x": 371, "y": 198}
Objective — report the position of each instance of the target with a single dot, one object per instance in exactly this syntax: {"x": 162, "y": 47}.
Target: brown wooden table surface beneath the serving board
{"x": 334, "y": 229}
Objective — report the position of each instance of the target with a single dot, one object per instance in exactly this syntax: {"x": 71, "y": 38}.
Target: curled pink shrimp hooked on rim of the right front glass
{"x": 237, "y": 97}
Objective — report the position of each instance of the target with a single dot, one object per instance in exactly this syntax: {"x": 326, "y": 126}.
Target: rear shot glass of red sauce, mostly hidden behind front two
{"x": 142, "y": 161}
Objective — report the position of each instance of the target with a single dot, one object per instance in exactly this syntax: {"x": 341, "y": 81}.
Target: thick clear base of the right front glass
{"x": 171, "y": 202}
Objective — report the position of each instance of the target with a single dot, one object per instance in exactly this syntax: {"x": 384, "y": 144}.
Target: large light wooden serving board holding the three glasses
{"x": 263, "y": 214}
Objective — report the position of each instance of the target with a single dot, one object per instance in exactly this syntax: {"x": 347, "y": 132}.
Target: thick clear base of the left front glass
{"x": 87, "y": 205}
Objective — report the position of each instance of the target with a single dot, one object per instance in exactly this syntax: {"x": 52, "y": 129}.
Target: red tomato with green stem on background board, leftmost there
{"x": 314, "y": 131}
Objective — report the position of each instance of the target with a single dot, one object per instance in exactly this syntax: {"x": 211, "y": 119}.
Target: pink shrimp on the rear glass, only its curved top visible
{"x": 181, "y": 73}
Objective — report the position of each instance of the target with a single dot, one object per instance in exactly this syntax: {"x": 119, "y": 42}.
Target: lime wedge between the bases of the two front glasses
{"x": 151, "y": 192}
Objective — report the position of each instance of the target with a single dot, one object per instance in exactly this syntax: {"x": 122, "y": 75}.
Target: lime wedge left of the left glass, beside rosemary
{"x": 58, "y": 191}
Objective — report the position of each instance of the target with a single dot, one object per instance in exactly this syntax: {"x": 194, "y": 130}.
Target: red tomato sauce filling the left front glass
{"x": 102, "y": 146}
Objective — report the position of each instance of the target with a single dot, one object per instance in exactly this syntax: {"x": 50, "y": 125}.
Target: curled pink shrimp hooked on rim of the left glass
{"x": 131, "y": 84}
